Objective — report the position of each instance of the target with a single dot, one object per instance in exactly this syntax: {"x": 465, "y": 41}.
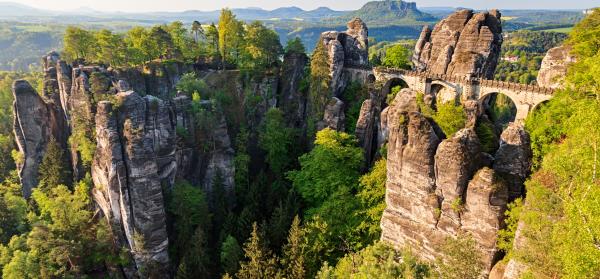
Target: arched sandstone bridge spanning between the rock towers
{"x": 446, "y": 88}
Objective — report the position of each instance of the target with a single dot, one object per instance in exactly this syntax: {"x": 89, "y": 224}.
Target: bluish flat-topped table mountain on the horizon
{"x": 389, "y": 12}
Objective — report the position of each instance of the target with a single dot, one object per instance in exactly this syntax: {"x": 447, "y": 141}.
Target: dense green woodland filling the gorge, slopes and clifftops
{"x": 310, "y": 210}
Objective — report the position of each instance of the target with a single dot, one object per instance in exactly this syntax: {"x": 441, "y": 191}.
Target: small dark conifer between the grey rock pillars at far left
{"x": 53, "y": 170}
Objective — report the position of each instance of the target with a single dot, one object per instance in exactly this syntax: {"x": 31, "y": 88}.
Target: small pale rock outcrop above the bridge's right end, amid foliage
{"x": 554, "y": 66}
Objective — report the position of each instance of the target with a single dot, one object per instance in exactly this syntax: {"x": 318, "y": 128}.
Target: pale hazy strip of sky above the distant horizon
{"x": 179, "y": 5}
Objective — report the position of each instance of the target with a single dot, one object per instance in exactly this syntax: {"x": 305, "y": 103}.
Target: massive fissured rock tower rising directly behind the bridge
{"x": 463, "y": 44}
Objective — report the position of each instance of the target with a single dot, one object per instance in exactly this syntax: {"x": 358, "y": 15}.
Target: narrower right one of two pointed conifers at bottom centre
{"x": 293, "y": 254}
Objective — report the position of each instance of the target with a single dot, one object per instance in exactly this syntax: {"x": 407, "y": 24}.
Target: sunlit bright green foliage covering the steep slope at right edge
{"x": 560, "y": 215}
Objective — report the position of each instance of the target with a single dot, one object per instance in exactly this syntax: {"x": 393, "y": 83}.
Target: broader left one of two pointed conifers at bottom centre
{"x": 260, "y": 263}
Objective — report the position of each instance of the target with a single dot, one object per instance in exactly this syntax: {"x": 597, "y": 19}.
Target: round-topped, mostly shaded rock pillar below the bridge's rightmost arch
{"x": 513, "y": 158}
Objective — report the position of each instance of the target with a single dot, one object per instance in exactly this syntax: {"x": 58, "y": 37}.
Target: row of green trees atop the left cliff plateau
{"x": 231, "y": 42}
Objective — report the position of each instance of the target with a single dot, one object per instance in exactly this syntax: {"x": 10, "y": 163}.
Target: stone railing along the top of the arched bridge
{"x": 466, "y": 80}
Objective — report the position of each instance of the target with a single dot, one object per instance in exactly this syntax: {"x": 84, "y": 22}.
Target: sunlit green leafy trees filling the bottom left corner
{"x": 65, "y": 241}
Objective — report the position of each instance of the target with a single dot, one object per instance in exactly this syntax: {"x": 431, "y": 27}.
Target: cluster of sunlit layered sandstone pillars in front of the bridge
{"x": 439, "y": 188}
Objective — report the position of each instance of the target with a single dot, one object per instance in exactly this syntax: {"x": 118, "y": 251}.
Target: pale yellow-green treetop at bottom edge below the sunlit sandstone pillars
{"x": 461, "y": 259}
